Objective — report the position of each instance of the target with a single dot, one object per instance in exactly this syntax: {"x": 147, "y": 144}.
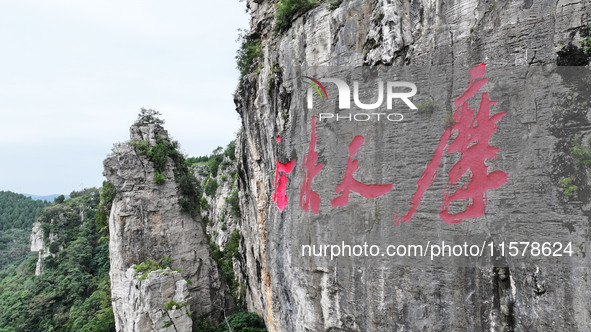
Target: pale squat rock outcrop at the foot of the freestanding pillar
{"x": 160, "y": 302}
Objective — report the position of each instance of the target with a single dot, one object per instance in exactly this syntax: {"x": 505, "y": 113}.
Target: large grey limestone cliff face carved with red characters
{"x": 295, "y": 293}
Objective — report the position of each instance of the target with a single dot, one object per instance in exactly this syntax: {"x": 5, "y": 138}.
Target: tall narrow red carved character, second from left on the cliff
{"x": 310, "y": 199}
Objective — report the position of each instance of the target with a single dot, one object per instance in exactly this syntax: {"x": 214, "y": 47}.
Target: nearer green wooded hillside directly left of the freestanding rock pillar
{"x": 72, "y": 293}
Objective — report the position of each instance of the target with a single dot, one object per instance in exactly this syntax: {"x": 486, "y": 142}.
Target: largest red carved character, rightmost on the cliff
{"x": 472, "y": 142}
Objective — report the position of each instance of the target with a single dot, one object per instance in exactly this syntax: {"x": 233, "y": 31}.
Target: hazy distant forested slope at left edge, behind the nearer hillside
{"x": 17, "y": 214}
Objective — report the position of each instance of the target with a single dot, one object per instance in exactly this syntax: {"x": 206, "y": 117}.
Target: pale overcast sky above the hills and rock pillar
{"x": 74, "y": 75}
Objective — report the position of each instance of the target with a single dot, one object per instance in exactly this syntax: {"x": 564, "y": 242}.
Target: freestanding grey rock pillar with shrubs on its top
{"x": 147, "y": 222}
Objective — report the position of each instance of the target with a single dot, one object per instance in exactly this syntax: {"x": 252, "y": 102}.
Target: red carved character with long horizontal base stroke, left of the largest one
{"x": 350, "y": 184}
